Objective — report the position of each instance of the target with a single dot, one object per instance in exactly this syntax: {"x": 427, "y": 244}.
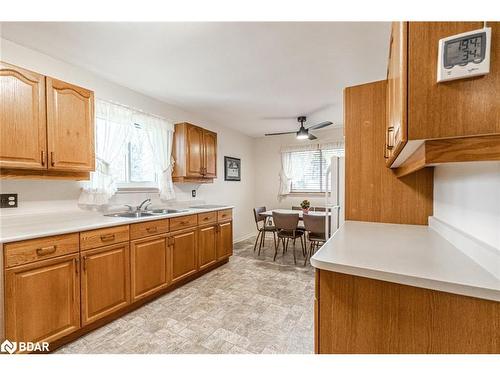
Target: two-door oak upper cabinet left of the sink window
{"x": 46, "y": 126}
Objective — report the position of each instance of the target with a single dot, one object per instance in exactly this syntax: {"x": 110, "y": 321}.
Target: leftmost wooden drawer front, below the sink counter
{"x": 29, "y": 251}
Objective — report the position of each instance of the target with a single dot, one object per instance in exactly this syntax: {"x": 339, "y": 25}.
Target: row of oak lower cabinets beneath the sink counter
{"x": 54, "y": 296}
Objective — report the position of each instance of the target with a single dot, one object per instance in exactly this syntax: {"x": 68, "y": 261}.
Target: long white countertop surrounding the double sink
{"x": 24, "y": 227}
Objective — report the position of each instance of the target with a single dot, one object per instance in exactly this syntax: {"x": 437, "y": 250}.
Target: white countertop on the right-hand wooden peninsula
{"x": 413, "y": 255}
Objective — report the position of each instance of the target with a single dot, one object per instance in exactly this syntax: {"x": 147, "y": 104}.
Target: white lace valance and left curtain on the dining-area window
{"x": 286, "y": 160}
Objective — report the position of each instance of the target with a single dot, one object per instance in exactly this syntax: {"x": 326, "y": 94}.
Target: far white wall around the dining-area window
{"x": 268, "y": 166}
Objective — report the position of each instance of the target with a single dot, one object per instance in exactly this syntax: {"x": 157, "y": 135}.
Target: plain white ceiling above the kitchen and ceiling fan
{"x": 240, "y": 75}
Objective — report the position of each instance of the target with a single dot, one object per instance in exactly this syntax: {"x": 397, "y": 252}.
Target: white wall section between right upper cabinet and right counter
{"x": 467, "y": 196}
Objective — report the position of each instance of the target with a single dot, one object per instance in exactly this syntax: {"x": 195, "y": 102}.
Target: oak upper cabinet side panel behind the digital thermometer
{"x": 458, "y": 108}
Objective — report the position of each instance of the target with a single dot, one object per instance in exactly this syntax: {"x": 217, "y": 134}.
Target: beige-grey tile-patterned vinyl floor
{"x": 249, "y": 305}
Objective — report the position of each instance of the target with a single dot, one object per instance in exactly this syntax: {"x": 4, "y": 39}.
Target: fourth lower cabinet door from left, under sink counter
{"x": 184, "y": 247}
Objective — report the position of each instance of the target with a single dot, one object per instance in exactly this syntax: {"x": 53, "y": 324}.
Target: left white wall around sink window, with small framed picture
{"x": 230, "y": 143}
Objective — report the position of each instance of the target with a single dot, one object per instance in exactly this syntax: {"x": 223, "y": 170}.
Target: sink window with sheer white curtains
{"x": 133, "y": 153}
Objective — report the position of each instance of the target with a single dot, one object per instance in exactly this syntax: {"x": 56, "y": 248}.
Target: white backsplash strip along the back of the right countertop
{"x": 483, "y": 254}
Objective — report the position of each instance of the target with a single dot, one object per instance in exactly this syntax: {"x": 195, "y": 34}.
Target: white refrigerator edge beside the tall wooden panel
{"x": 334, "y": 195}
